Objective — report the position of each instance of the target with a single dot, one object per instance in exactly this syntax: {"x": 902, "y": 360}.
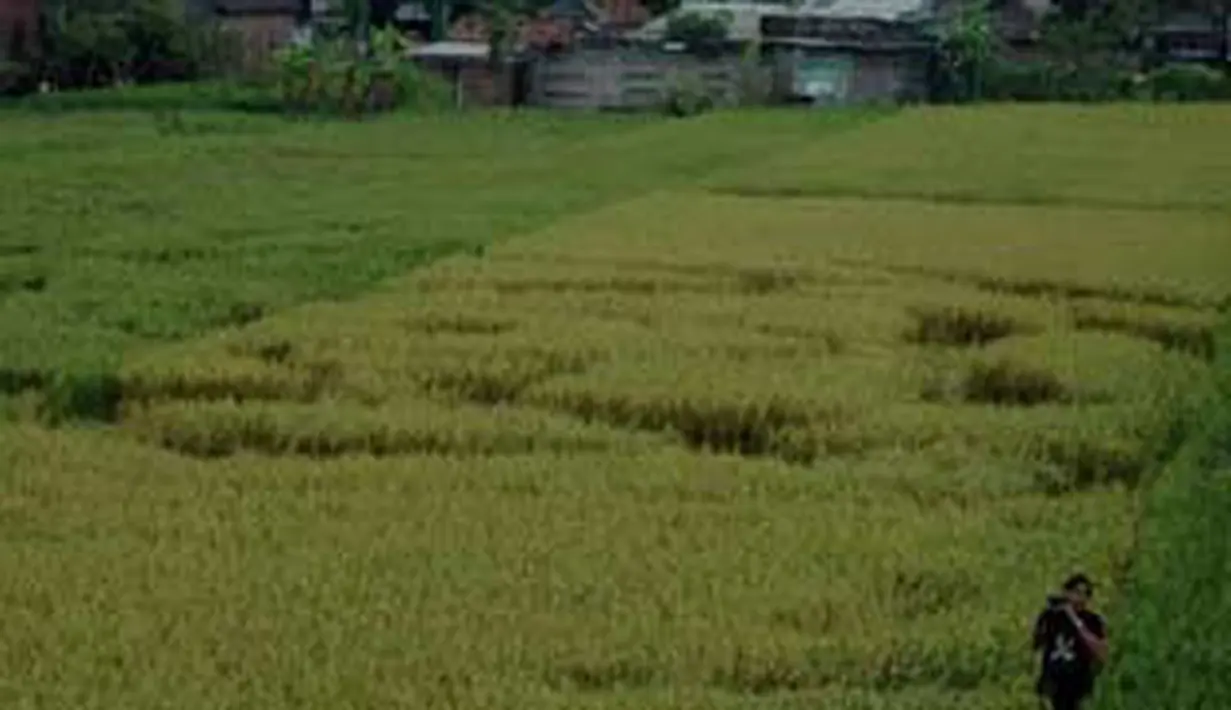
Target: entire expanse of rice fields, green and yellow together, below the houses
{"x": 765, "y": 409}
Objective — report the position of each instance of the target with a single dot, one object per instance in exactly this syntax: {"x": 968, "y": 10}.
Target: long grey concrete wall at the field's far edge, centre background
{"x": 626, "y": 78}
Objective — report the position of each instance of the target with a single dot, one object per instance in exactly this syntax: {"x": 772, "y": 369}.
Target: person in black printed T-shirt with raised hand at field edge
{"x": 1074, "y": 644}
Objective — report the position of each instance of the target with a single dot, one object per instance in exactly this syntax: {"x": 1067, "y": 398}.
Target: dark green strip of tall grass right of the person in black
{"x": 1176, "y": 617}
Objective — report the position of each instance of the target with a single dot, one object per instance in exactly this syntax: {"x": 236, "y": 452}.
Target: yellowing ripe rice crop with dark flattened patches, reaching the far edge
{"x": 816, "y": 440}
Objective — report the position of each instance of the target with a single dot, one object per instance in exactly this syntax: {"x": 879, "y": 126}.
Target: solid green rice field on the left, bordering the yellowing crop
{"x": 118, "y": 236}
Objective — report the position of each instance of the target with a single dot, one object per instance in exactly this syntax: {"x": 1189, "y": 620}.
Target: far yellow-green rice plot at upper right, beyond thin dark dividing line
{"x": 1127, "y": 157}
